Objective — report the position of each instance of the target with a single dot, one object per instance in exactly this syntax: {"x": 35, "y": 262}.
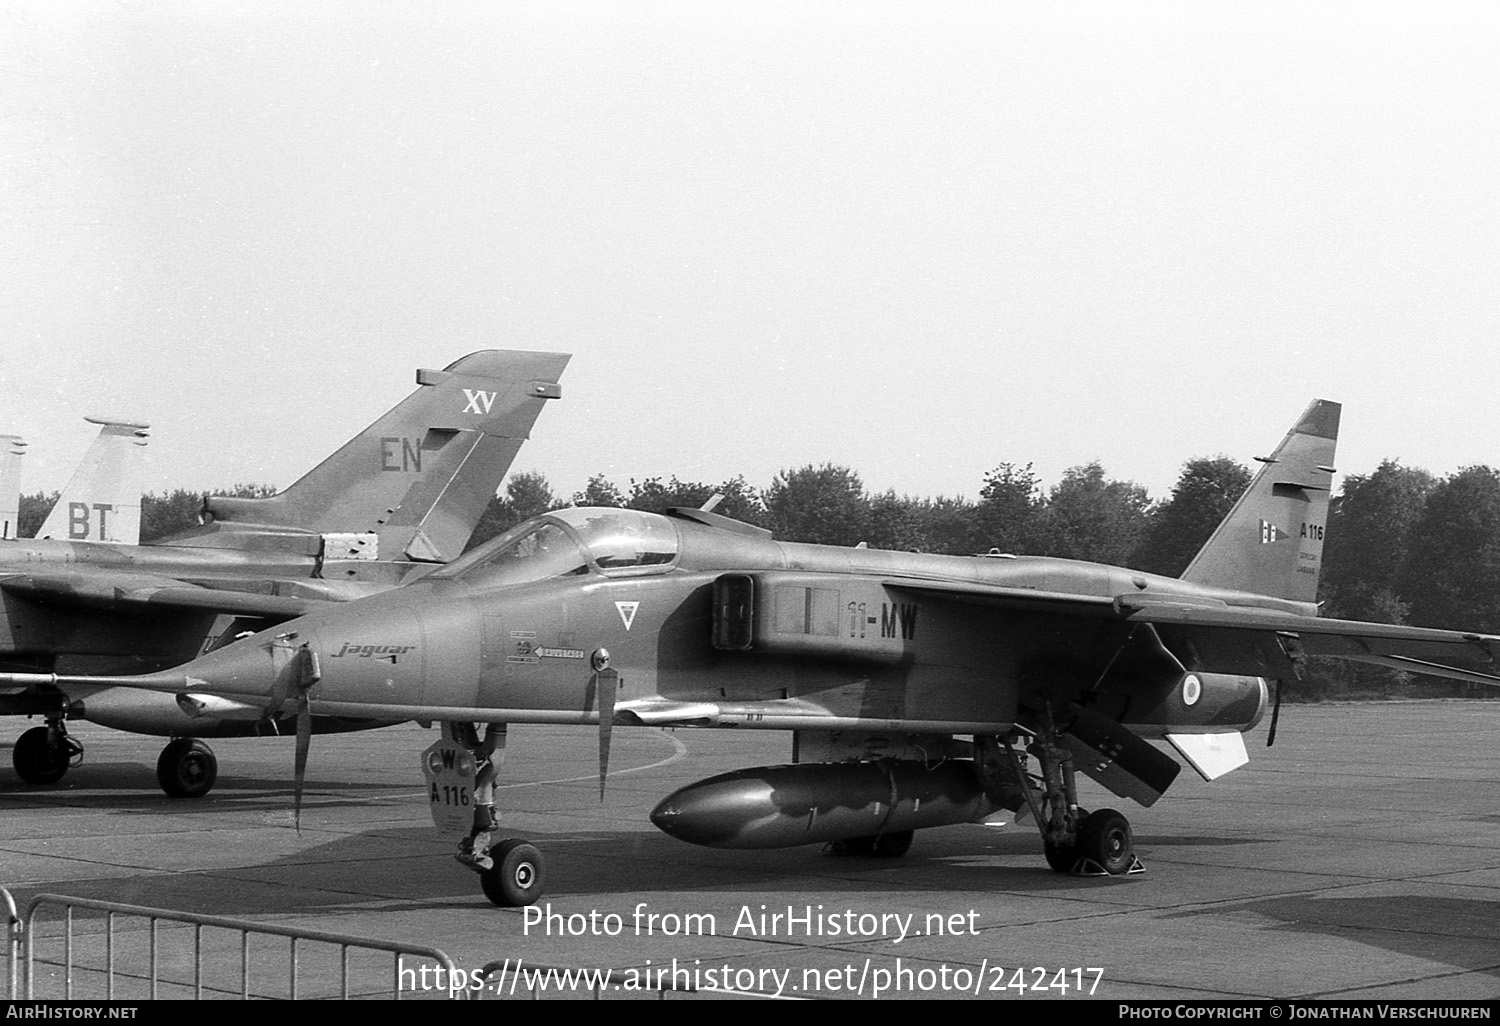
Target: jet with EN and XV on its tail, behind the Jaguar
{"x": 400, "y": 499}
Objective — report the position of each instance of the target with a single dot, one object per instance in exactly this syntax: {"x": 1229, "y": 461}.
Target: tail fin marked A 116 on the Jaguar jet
{"x": 1271, "y": 544}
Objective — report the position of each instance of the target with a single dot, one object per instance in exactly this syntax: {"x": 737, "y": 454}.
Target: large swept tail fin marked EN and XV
{"x": 413, "y": 485}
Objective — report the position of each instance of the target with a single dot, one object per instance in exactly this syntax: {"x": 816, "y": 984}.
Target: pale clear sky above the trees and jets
{"x": 914, "y": 239}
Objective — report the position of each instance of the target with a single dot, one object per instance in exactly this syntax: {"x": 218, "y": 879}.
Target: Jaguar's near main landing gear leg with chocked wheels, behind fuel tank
{"x": 1075, "y": 841}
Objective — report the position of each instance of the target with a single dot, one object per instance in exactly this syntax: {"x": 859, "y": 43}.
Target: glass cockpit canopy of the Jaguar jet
{"x": 571, "y": 542}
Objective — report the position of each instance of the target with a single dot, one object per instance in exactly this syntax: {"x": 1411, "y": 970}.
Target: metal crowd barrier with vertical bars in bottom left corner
{"x": 164, "y": 965}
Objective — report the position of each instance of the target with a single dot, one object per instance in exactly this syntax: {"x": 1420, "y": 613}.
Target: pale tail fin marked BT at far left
{"x": 103, "y": 500}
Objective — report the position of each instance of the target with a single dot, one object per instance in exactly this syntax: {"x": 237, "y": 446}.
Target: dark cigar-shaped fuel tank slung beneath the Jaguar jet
{"x": 818, "y": 803}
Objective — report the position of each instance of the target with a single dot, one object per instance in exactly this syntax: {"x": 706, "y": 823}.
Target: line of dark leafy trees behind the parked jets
{"x": 1403, "y": 547}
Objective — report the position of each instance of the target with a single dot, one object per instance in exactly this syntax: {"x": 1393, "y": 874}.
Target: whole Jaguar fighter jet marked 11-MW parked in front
{"x": 923, "y": 689}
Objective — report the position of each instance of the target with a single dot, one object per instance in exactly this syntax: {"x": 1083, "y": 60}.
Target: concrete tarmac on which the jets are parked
{"x": 1358, "y": 859}
